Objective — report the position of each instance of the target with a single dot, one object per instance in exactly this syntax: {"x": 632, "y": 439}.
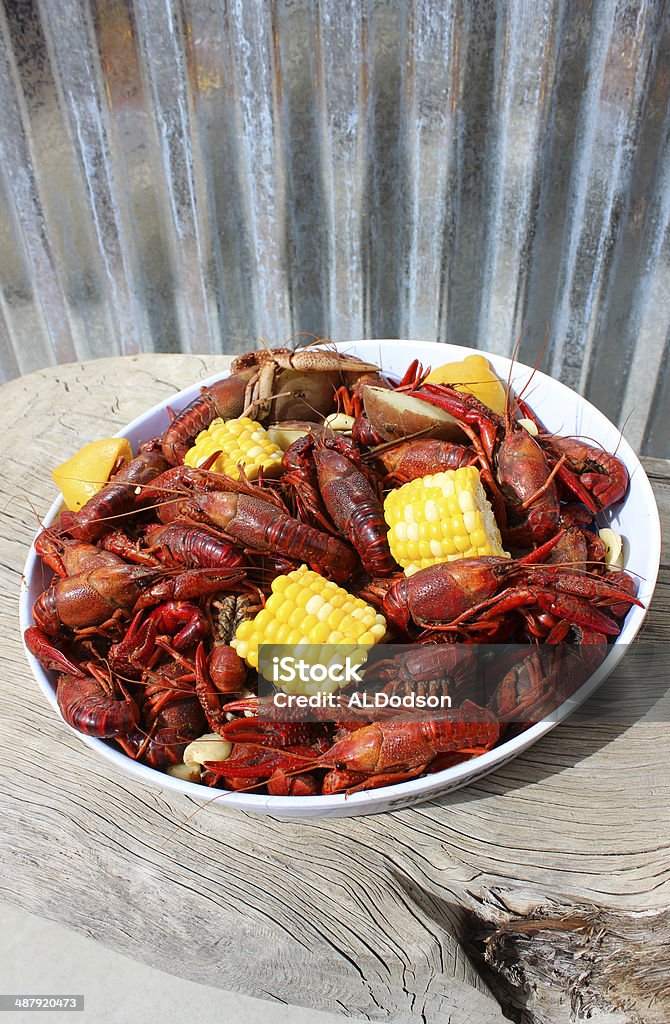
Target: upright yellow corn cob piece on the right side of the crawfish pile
{"x": 440, "y": 519}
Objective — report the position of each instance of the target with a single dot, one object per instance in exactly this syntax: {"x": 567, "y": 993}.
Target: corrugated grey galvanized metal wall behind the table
{"x": 192, "y": 175}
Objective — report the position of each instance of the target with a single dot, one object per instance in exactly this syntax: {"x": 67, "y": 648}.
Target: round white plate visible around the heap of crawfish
{"x": 562, "y": 411}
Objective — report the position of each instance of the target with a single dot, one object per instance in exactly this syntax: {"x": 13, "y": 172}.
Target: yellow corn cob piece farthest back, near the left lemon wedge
{"x": 241, "y": 442}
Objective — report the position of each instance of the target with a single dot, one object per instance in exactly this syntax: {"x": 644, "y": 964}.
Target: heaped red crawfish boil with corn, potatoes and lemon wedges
{"x": 310, "y": 499}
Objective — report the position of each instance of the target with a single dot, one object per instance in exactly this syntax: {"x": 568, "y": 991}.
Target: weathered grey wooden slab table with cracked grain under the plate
{"x": 542, "y": 889}
